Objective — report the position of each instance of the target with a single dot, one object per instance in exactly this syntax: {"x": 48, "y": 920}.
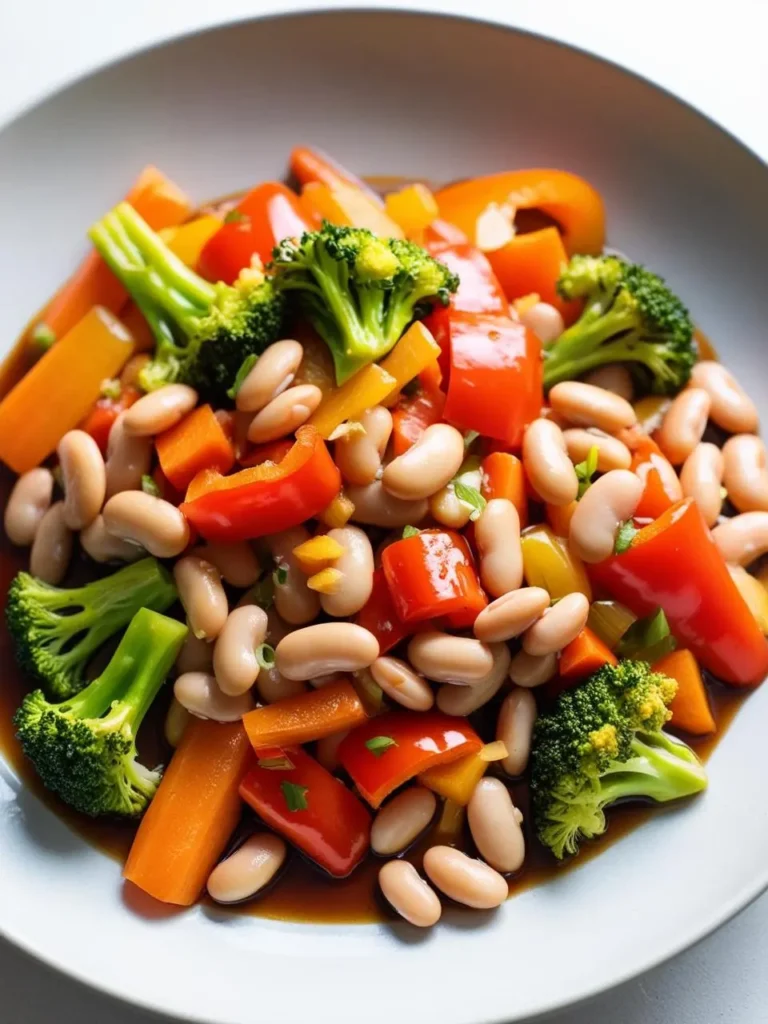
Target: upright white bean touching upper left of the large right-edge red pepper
{"x": 610, "y": 502}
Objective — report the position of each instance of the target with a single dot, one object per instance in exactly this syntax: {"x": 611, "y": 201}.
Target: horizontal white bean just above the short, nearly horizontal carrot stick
{"x": 327, "y": 648}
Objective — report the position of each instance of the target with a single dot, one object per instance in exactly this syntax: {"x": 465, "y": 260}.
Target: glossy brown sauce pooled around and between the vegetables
{"x": 303, "y": 893}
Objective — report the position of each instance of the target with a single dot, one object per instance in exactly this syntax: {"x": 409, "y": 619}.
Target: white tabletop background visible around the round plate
{"x": 716, "y": 62}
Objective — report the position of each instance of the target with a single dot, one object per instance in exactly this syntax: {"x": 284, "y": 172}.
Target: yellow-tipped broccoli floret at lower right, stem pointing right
{"x": 605, "y": 742}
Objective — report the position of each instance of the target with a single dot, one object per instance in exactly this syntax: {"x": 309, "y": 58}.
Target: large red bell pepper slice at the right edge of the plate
{"x": 674, "y": 565}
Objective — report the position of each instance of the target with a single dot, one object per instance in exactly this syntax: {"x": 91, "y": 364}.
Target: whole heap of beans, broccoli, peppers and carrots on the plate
{"x": 415, "y": 499}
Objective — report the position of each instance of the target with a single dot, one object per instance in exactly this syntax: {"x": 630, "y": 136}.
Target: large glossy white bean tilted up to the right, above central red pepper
{"x": 428, "y": 466}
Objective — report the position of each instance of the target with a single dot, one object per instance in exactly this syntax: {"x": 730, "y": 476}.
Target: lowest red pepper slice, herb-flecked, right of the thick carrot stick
{"x": 313, "y": 809}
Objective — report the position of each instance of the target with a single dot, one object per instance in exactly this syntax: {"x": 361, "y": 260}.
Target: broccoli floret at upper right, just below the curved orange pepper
{"x": 630, "y": 316}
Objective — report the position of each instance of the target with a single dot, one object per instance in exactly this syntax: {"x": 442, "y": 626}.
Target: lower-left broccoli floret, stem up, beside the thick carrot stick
{"x": 84, "y": 750}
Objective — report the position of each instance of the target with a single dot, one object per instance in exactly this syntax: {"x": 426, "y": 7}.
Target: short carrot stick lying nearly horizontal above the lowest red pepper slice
{"x": 307, "y": 717}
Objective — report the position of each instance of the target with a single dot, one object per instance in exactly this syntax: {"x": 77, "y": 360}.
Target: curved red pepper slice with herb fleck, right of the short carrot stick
{"x": 388, "y": 751}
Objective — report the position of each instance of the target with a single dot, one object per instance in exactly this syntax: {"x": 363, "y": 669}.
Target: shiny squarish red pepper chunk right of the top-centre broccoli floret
{"x": 495, "y": 387}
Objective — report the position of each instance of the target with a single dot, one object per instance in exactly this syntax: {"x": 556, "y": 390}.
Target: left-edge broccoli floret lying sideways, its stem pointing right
{"x": 56, "y": 631}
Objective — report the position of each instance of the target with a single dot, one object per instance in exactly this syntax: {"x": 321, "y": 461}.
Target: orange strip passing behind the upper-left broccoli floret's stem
{"x": 162, "y": 204}
